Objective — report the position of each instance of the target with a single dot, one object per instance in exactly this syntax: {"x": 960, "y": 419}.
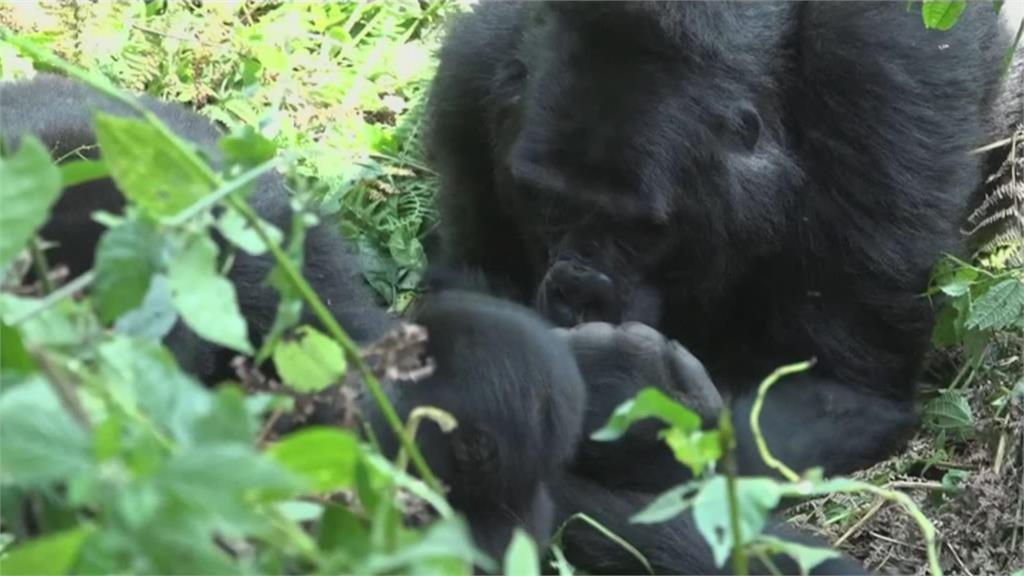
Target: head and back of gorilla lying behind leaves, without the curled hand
{"x": 508, "y": 380}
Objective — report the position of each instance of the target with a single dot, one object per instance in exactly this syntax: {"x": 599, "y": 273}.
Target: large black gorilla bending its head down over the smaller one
{"x": 764, "y": 183}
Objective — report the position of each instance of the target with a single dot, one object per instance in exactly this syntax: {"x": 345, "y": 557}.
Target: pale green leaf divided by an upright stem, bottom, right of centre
{"x": 756, "y": 498}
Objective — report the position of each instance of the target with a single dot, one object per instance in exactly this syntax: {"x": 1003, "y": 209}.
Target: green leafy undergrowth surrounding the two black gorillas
{"x": 115, "y": 461}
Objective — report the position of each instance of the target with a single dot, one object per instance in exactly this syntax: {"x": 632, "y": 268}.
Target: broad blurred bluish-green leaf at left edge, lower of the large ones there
{"x": 41, "y": 441}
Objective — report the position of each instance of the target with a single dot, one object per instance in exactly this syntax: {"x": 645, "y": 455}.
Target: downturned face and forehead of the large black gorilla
{"x": 616, "y": 155}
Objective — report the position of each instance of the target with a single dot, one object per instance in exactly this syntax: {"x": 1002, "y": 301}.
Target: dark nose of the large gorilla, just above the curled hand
{"x": 573, "y": 294}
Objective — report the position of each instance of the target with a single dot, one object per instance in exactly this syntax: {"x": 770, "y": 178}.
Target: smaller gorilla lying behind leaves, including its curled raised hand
{"x": 511, "y": 382}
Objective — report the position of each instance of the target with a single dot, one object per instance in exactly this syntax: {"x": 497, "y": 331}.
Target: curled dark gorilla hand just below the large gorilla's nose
{"x": 617, "y": 362}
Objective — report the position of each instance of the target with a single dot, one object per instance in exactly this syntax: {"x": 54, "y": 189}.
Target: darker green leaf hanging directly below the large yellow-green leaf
{"x": 127, "y": 258}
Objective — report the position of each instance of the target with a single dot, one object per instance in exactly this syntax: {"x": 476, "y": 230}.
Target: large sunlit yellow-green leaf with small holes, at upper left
{"x": 151, "y": 169}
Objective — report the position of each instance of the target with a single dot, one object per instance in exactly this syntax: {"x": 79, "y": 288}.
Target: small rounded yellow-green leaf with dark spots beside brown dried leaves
{"x": 311, "y": 361}
